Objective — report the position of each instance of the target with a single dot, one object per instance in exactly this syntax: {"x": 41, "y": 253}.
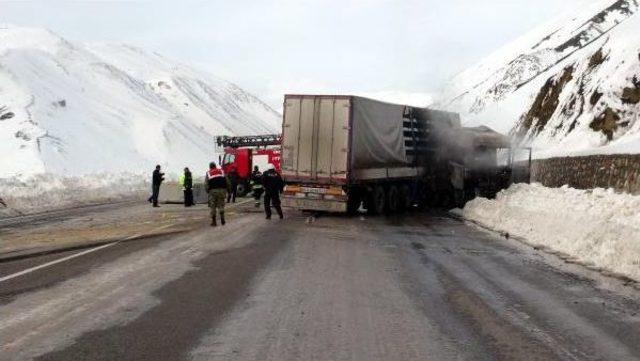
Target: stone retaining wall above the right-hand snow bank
{"x": 619, "y": 171}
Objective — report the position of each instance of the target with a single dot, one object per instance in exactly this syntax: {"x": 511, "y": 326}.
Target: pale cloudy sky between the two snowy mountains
{"x": 387, "y": 48}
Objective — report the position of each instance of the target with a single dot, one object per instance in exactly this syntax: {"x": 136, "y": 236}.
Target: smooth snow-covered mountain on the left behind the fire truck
{"x": 75, "y": 109}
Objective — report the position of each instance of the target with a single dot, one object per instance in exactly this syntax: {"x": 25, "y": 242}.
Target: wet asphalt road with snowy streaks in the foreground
{"x": 416, "y": 287}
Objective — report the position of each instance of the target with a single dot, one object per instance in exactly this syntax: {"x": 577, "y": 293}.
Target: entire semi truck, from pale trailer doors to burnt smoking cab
{"x": 340, "y": 153}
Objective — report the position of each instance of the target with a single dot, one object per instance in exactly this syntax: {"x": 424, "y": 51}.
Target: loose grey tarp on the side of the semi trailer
{"x": 377, "y": 135}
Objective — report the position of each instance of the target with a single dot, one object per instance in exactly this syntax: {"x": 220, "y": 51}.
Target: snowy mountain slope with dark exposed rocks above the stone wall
{"x": 571, "y": 86}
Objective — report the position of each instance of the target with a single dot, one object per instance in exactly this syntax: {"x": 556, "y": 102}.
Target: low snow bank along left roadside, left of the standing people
{"x": 46, "y": 192}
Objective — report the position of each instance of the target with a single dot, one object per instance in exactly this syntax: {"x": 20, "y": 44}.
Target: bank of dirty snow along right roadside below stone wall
{"x": 597, "y": 227}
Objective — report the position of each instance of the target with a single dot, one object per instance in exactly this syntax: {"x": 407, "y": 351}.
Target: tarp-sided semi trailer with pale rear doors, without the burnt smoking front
{"x": 341, "y": 152}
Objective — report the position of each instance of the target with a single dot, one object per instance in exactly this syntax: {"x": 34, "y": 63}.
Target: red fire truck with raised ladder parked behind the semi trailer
{"x": 245, "y": 152}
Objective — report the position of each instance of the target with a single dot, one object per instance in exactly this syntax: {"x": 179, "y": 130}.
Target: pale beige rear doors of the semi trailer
{"x": 316, "y": 139}
